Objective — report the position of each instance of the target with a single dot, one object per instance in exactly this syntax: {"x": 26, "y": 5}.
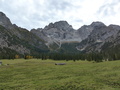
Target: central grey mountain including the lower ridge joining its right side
{"x": 58, "y": 33}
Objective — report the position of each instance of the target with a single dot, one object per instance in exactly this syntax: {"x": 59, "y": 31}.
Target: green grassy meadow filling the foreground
{"x": 45, "y": 75}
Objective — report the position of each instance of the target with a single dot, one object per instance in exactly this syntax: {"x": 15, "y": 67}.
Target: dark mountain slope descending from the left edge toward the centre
{"x": 18, "y": 39}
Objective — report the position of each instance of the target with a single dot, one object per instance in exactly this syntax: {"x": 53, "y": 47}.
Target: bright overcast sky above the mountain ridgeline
{"x": 39, "y": 13}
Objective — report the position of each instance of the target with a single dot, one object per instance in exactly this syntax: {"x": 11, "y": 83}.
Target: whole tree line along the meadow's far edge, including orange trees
{"x": 98, "y": 57}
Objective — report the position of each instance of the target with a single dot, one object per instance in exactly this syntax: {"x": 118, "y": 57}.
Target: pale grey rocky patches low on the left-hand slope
{"x": 6, "y": 41}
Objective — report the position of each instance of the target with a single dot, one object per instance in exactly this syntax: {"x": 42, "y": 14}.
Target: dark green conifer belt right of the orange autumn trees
{"x": 98, "y": 57}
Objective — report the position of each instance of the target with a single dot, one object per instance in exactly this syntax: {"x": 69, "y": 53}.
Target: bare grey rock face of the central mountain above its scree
{"x": 58, "y": 33}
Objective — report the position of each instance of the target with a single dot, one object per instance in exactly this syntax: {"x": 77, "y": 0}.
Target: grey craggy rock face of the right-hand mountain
{"x": 99, "y": 36}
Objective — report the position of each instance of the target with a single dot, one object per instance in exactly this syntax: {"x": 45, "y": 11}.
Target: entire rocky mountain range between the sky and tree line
{"x": 59, "y": 37}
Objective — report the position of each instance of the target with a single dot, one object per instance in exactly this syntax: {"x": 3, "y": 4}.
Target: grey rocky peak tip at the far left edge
{"x": 5, "y": 21}
